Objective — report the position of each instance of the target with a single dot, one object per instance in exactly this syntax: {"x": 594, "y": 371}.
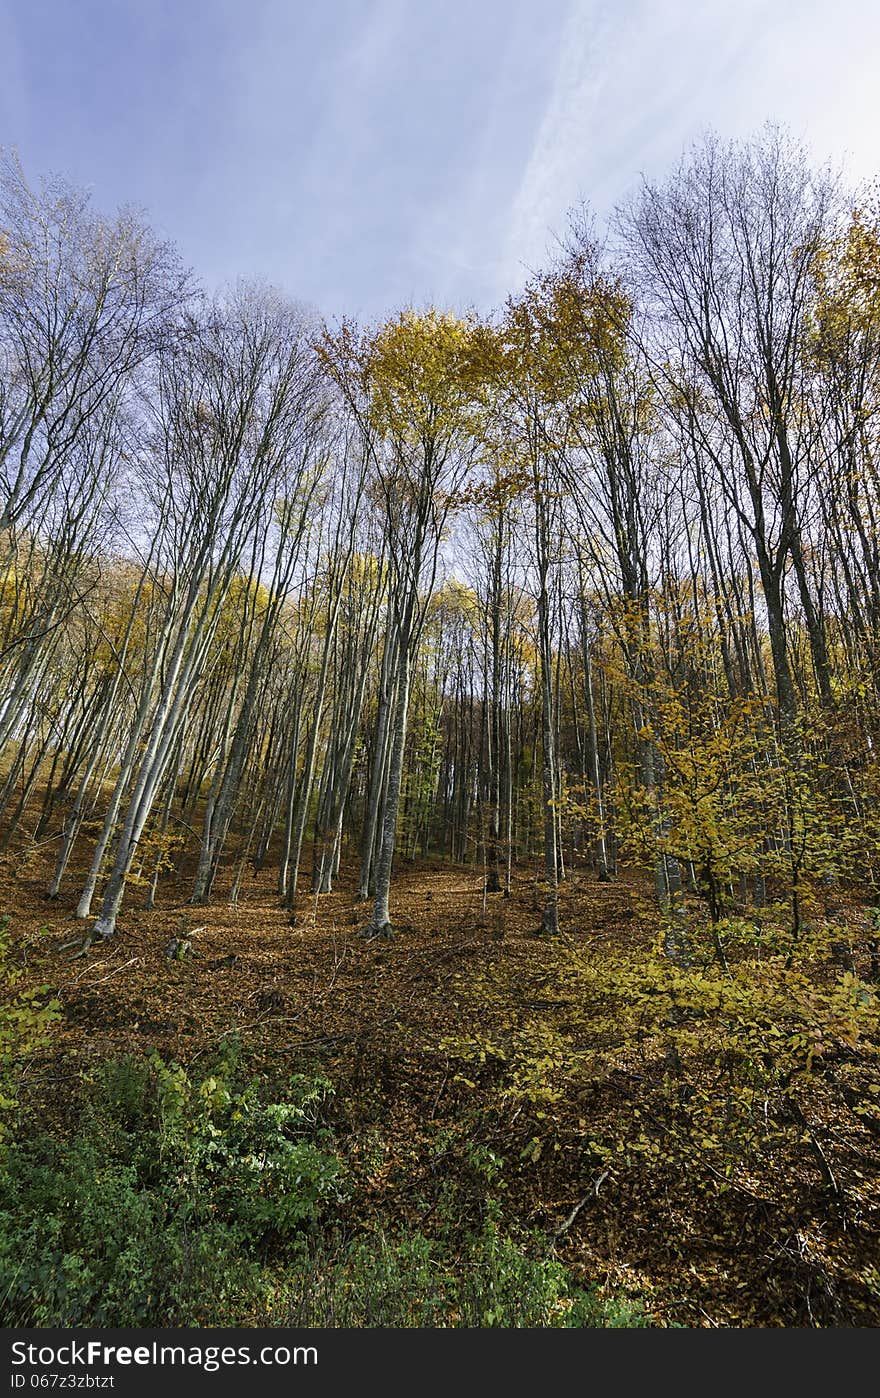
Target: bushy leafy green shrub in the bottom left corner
{"x": 159, "y": 1207}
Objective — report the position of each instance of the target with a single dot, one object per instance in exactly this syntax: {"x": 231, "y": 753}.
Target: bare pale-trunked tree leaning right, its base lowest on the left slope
{"x": 233, "y": 403}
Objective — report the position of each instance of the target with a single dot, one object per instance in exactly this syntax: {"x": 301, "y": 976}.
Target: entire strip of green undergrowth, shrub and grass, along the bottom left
{"x": 183, "y": 1200}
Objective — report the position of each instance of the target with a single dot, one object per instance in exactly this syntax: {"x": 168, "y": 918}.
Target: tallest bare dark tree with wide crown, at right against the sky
{"x": 725, "y": 252}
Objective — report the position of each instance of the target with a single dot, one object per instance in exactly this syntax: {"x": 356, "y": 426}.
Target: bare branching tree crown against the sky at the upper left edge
{"x": 85, "y": 301}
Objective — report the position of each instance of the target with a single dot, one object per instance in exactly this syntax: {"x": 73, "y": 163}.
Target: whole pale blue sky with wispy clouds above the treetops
{"x": 369, "y": 154}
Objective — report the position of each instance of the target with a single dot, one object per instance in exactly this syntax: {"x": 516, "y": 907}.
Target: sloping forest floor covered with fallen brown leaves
{"x": 474, "y": 1059}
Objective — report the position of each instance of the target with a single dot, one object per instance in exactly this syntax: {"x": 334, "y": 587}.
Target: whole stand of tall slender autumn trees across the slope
{"x": 594, "y": 581}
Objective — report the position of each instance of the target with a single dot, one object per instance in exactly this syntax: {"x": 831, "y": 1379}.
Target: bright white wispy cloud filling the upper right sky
{"x": 637, "y": 83}
